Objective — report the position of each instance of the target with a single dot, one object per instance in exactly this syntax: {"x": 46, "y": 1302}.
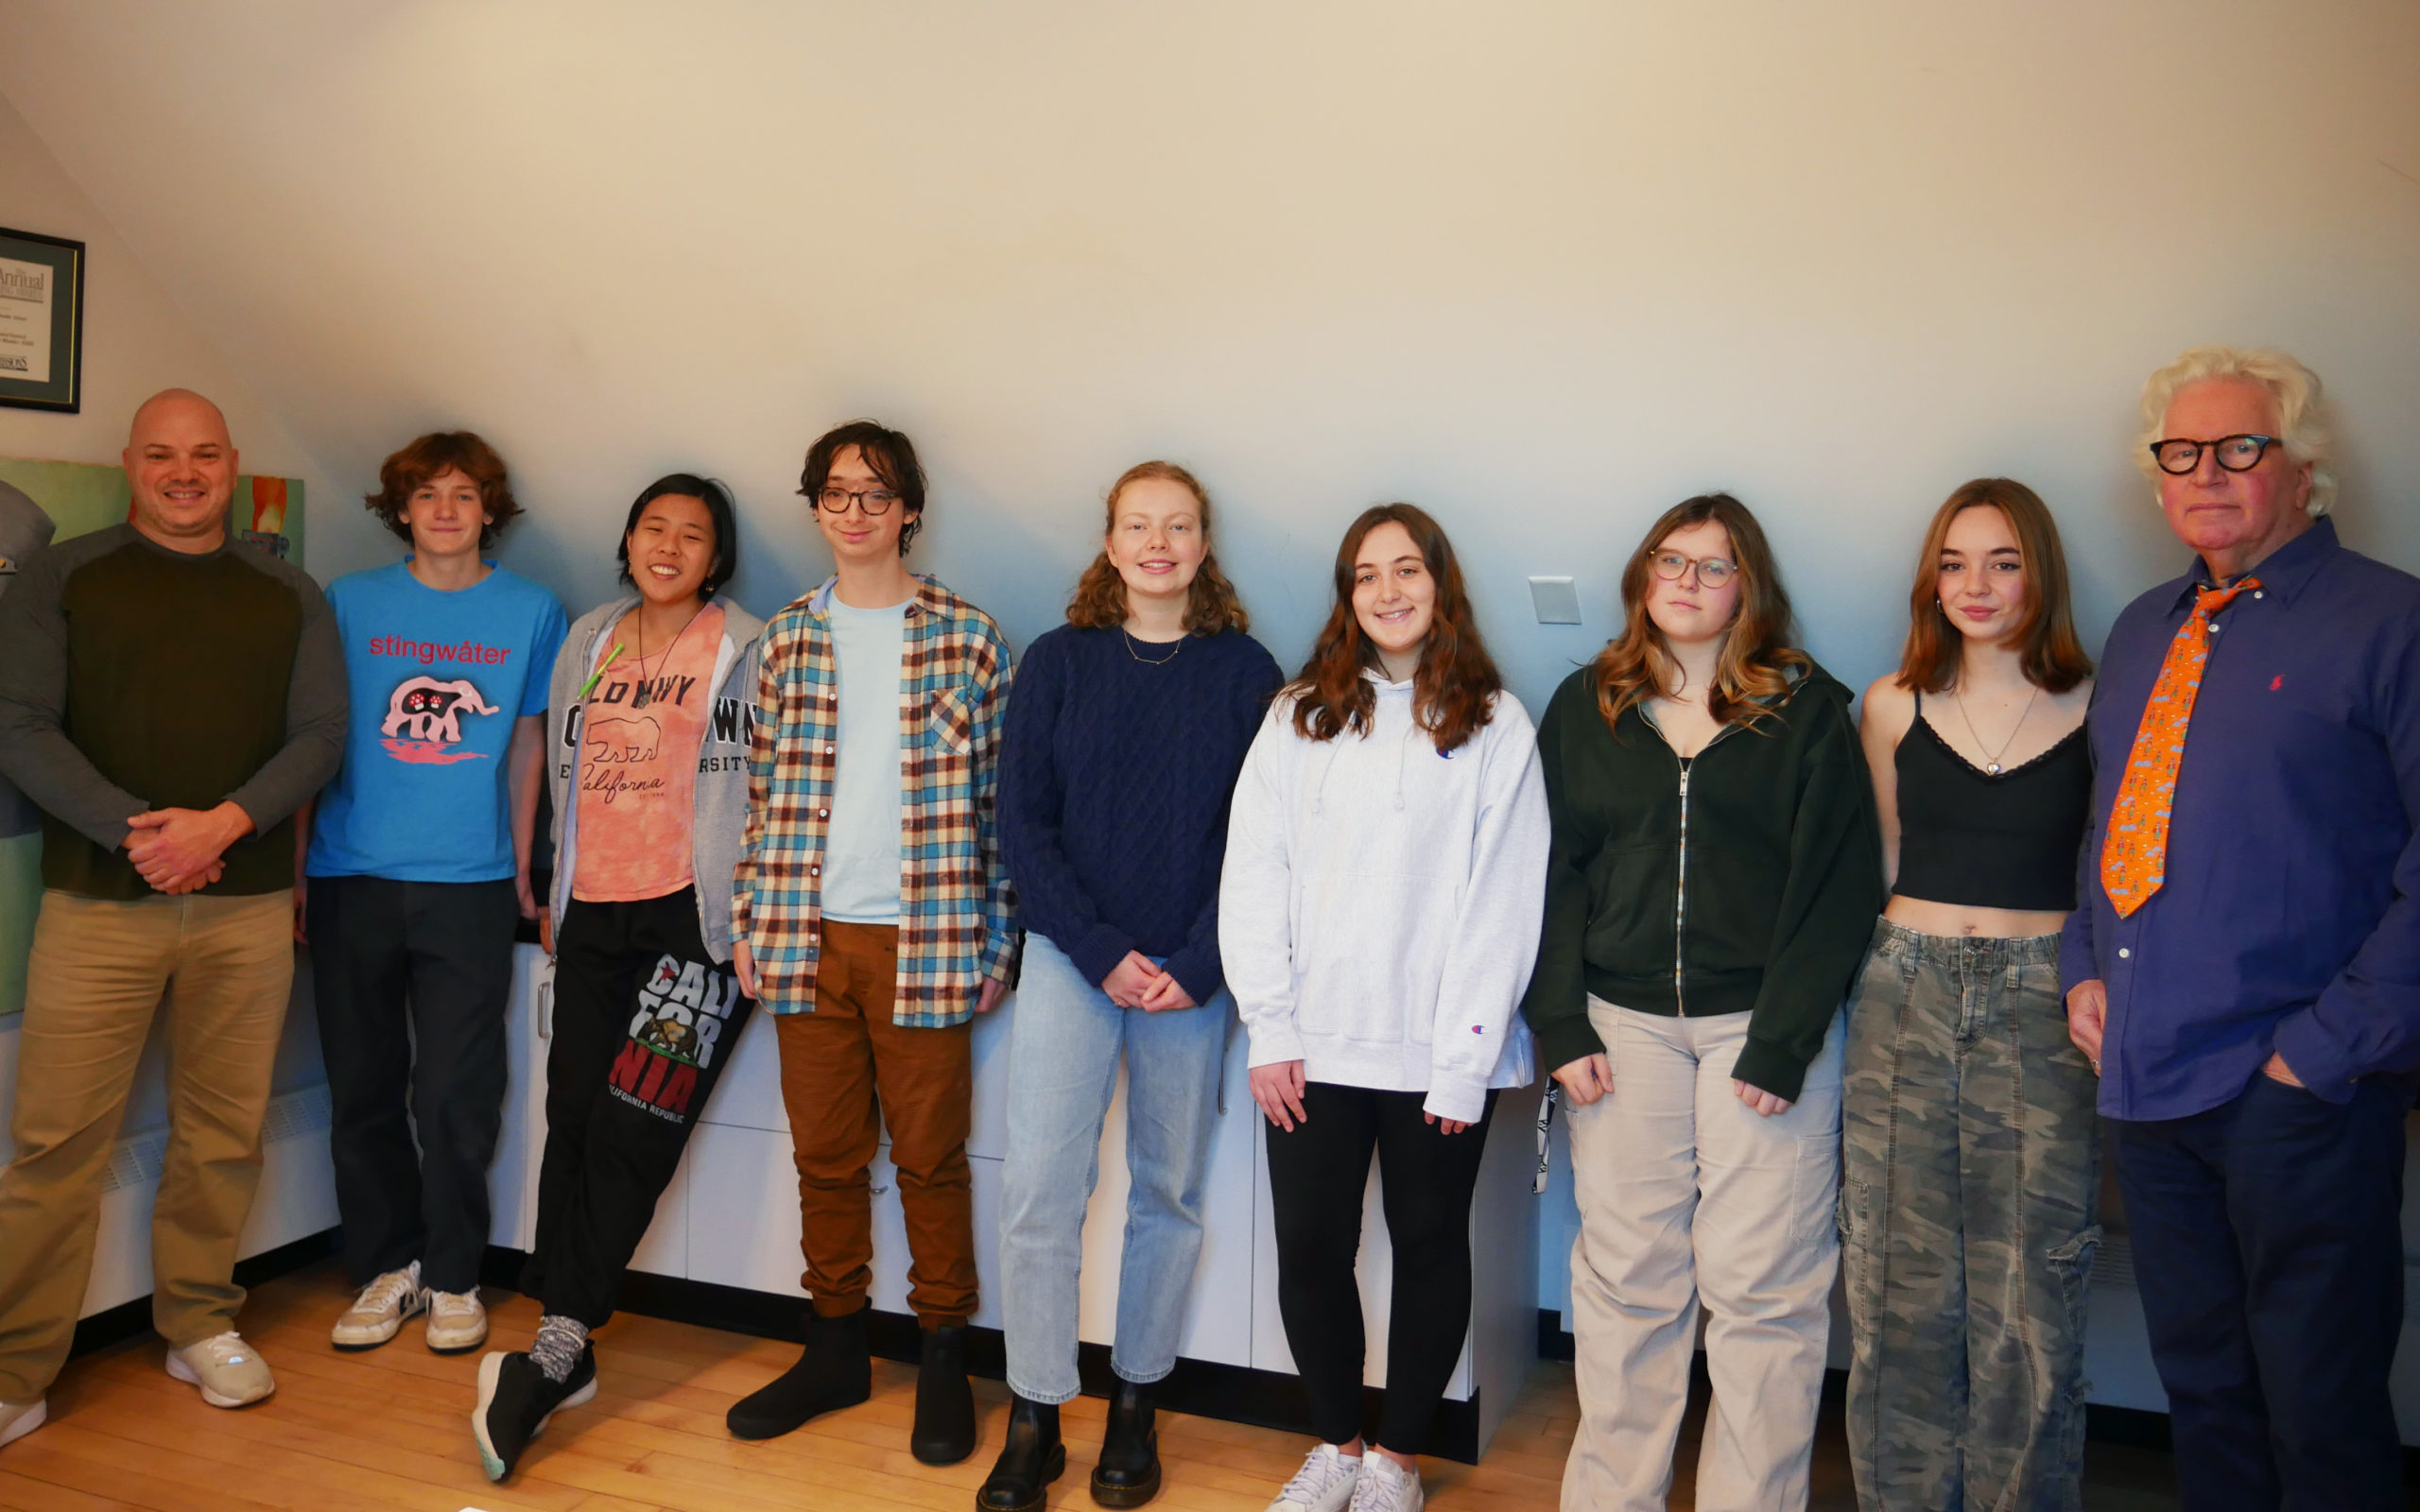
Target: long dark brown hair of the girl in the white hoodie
{"x": 1453, "y": 693}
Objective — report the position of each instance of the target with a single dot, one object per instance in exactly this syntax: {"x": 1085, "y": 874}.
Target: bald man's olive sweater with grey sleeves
{"x": 144, "y": 679}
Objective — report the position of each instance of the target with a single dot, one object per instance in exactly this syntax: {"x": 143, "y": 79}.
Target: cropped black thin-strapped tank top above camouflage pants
{"x": 1990, "y": 841}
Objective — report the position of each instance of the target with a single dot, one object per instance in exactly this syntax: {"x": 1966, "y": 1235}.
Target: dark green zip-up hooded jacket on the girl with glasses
{"x": 1785, "y": 877}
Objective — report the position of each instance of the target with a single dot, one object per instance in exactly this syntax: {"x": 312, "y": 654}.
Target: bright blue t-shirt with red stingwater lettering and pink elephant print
{"x": 439, "y": 679}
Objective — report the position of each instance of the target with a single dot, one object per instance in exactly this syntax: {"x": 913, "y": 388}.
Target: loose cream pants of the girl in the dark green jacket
{"x": 1688, "y": 1194}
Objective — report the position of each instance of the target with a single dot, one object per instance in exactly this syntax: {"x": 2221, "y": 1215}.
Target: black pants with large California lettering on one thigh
{"x": 645, "y": 1022}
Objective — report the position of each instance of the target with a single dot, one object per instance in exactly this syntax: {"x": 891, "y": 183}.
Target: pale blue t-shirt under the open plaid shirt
{"x": 863, "y": 850}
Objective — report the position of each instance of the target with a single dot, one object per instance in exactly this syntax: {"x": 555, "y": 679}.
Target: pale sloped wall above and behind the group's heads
{"x": 1543, "y": 267}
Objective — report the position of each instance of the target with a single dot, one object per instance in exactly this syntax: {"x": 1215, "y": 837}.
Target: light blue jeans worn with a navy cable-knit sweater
{"x": 1064, "y": 1068}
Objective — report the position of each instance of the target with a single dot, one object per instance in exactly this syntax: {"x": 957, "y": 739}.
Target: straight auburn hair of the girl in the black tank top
{"x": 2046, "y": 635}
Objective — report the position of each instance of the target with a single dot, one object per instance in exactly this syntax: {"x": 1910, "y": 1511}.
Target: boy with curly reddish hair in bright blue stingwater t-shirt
{"x": 417, "y": 877}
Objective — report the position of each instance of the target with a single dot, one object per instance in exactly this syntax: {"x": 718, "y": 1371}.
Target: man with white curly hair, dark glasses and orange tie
{"x": 2245, "y": 964}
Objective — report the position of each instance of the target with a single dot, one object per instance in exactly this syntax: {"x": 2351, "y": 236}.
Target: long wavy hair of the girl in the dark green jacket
{"x": 1758, "y": 654}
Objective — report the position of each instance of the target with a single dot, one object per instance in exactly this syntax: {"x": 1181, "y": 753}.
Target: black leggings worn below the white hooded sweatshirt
{"x": 1315, "y": 1179}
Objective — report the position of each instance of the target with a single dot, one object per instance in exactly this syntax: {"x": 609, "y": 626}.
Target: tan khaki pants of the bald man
{"x": 93, "y": 988}
